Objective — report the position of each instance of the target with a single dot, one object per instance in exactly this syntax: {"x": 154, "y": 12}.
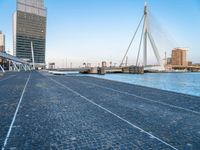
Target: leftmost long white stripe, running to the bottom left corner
{"x": 16, "y": 111}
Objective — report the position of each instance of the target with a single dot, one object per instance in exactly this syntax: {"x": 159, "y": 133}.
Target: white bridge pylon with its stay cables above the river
{"x": 146, "y": 42}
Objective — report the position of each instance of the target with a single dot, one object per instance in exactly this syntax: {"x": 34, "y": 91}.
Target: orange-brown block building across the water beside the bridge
{"x": 179, "y": 56}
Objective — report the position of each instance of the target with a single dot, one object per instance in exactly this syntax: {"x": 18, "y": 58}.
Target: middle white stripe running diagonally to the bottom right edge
{"x": 141, "y": 130}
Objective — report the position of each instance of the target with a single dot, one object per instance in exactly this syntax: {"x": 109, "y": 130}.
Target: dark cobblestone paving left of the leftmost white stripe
{"x": 11, "y": 86}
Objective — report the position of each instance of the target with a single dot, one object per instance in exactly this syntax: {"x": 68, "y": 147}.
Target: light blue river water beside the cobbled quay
{"x": 187, "y": 83}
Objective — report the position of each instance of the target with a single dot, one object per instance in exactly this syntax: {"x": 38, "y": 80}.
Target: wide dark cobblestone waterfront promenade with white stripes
{"x": 43, "y": 111}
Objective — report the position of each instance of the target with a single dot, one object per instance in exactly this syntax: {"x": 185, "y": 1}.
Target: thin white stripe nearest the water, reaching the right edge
{"x": 147, "y": 99}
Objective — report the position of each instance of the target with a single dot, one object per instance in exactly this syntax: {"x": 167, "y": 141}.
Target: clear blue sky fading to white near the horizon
{"x": 97, "y": 30}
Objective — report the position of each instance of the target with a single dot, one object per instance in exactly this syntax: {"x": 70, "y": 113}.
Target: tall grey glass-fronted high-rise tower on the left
{"x": 29, "y": 26}
